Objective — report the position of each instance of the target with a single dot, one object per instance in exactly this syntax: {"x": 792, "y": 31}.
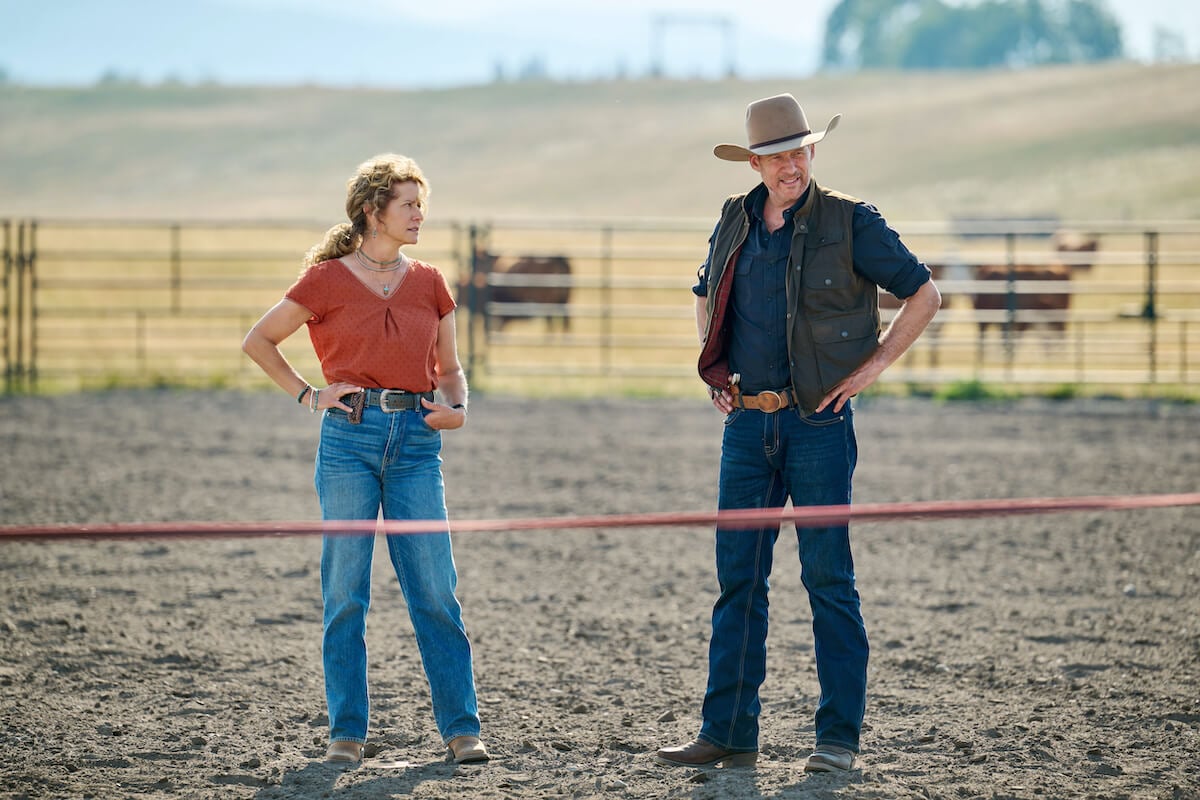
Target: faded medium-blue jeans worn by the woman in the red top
{"x": 394, "y": 462}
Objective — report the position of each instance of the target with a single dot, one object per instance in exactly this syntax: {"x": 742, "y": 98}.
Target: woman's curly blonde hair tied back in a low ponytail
{"x": 371, "y": 188}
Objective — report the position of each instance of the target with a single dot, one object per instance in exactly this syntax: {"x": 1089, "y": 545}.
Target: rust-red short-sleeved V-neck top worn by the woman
{"x": 370, "y": 341}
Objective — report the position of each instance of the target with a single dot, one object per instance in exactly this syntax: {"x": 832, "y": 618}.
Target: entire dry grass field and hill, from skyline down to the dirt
{"x": 148, "y": 226}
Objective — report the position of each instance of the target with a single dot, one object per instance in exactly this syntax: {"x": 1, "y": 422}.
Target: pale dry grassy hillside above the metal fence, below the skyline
{"x": 1108, "y": 142}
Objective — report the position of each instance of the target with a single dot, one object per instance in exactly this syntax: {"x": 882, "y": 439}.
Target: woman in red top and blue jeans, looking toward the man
{"x": 382, "y": 326}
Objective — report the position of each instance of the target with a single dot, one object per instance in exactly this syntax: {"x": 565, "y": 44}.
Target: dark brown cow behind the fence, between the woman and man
{"x": 499, "y": 281}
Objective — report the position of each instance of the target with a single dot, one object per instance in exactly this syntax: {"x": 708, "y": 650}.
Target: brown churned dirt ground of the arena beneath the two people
{"x": 1030, "y": 657}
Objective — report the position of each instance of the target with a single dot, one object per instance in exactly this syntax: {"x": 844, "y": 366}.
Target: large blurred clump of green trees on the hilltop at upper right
{"x": 935, "y": 35}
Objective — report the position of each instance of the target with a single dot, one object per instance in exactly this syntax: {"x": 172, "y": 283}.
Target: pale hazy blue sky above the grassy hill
{"x": 392, "y": 44}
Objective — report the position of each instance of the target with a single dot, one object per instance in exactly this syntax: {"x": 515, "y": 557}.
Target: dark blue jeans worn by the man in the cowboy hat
{"x": 767, "y": 459}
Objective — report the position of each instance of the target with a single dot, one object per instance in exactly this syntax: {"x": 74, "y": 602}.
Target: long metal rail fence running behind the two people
{"x": 587, "y": 306}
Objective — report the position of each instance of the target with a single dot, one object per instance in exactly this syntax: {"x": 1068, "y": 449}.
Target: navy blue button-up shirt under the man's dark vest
{"x": 758, "y": 346}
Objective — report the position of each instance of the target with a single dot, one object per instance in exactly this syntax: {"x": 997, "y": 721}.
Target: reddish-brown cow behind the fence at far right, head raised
{"x": 1073, "y": 248}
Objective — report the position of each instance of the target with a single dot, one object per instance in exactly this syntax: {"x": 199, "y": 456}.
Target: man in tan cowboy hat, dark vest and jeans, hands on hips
{"x": 788, "y": 314}
